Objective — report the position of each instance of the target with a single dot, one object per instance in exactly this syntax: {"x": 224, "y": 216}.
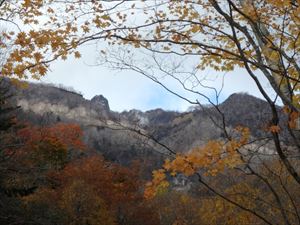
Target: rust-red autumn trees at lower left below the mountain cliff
{"x": 55, "y": 179}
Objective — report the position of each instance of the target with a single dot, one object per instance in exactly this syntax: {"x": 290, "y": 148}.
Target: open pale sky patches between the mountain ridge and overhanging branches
{"x": 129, "y": 90}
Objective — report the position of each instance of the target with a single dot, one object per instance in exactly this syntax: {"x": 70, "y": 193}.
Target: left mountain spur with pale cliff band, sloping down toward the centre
{"x": 104, "y": 130}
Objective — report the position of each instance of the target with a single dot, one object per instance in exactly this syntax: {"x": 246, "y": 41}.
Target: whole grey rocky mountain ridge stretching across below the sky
{"x": 122, "y": 137}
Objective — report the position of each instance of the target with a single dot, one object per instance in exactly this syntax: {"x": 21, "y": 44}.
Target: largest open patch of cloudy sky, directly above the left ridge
{"x": 124, "y": 90}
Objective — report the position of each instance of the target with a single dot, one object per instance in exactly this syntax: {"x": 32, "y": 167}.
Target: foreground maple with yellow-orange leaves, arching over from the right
{"x": 262, "y": 37}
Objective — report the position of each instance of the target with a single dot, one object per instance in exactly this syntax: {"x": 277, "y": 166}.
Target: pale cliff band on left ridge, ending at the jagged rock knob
{"x": 62, "y": 103}
